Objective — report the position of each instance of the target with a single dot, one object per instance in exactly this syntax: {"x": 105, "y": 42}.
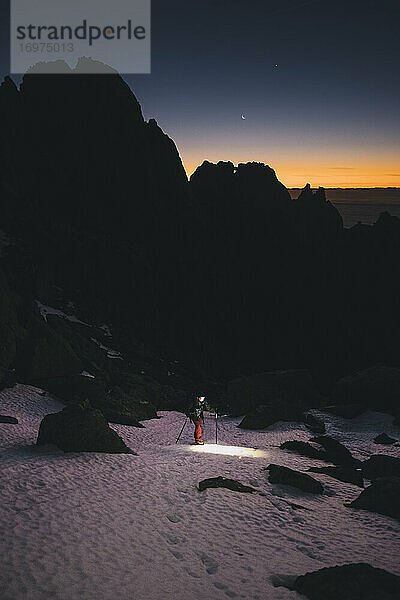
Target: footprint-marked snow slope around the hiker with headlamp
{"x": 105, "y": 527}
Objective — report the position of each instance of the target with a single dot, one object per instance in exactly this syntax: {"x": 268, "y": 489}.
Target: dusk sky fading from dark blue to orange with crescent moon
{"x": 327, "y": 114}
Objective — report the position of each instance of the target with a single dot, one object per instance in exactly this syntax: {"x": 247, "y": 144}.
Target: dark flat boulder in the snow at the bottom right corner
{"x": 357, "y": 581}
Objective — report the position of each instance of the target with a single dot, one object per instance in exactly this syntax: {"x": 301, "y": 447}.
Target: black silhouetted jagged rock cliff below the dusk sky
{"x": 227, "y": 270}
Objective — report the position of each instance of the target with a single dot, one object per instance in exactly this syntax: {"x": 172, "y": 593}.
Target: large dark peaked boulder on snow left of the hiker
{"x": 80, "y": 428}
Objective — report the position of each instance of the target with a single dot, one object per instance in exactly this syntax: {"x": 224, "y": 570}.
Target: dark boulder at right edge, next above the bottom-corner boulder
{"x": 382, "y": 496}
